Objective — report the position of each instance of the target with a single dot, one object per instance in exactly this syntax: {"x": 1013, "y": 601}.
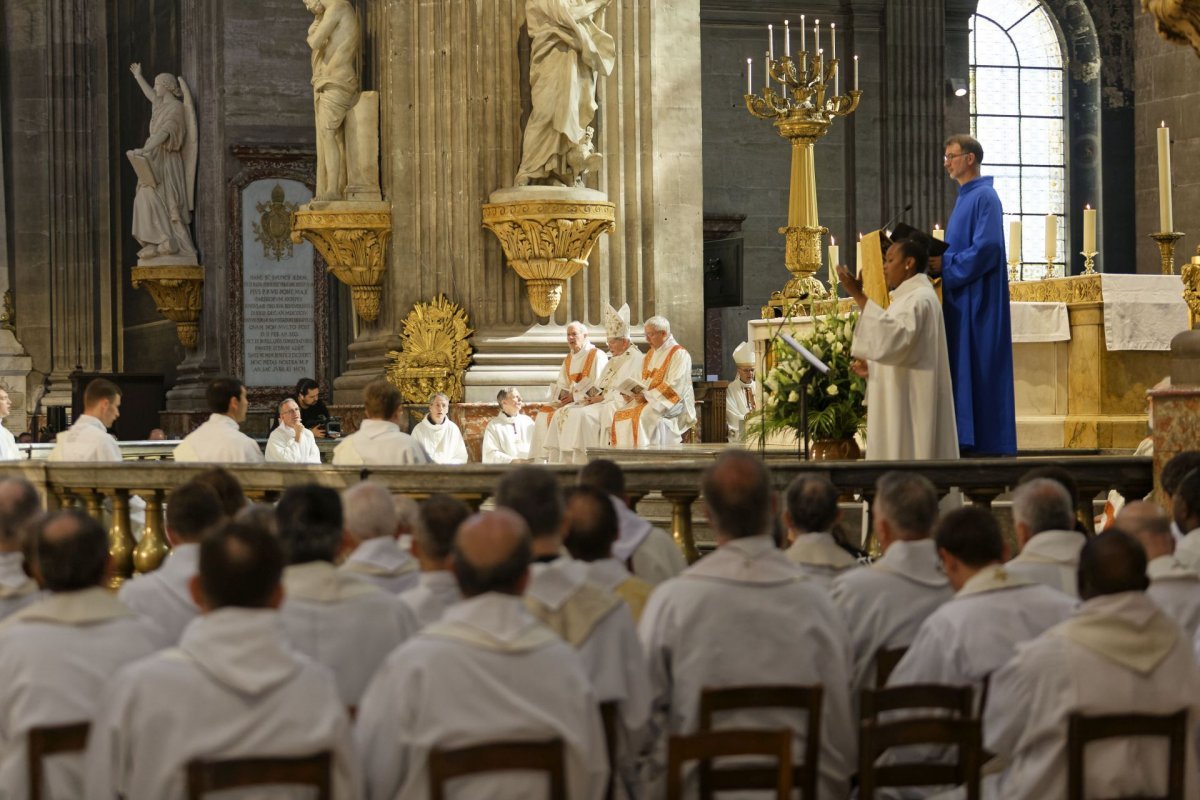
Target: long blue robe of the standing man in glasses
{"x": 979, "y": 330}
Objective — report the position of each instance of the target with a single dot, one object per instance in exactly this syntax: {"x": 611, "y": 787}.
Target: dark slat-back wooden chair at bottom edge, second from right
{"x": 956, "y": 727}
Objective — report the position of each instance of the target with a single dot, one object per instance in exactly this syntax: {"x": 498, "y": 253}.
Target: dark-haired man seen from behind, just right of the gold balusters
{"x": 166, "y": 596}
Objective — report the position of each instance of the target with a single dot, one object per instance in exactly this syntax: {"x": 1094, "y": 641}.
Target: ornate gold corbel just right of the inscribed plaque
{"x": 355, "y": 245}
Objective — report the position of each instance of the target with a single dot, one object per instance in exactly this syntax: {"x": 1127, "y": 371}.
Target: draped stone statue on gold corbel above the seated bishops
{"x": 569, "y": 52}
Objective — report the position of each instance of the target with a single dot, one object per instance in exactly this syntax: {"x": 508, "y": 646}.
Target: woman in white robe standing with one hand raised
{"x": 902, "y": 353}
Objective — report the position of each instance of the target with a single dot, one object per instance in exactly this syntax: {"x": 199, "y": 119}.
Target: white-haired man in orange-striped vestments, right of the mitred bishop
{"x": 663, "y": 407}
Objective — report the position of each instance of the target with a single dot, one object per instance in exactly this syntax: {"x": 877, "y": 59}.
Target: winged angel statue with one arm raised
{"x": 166, "y": 170}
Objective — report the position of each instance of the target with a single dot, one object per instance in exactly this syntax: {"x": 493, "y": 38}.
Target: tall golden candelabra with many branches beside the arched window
{"x": 803, "y": 111}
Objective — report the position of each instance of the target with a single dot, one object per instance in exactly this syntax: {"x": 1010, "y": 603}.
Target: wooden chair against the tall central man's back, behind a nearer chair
{"x": 801, "y": 699}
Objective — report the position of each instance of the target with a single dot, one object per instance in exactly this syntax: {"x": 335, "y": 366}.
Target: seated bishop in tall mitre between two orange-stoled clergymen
{"x": 589, "y": 423}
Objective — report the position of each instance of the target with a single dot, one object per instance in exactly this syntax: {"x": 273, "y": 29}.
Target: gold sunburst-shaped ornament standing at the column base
{"x": 435, "y": 352}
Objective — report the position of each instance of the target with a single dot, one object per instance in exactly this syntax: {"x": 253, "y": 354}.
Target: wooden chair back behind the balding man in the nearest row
{"x": 500, "y": 757}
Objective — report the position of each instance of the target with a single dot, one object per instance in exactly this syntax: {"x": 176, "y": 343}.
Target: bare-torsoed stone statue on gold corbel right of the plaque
{"x": 335, "y": 43}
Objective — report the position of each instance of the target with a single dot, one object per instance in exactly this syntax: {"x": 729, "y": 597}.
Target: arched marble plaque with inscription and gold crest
{"x": 278, "y": 287}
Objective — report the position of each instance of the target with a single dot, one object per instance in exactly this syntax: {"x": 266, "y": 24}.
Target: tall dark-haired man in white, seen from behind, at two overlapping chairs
{"x": 743, "y": 616}
